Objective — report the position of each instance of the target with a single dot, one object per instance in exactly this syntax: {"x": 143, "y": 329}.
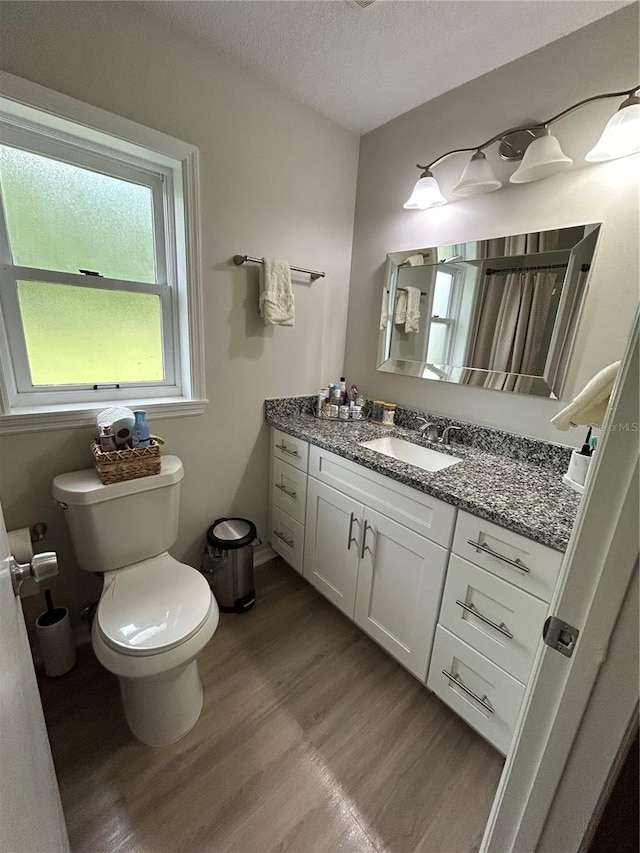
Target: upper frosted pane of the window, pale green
{"x": 67, "y": 218}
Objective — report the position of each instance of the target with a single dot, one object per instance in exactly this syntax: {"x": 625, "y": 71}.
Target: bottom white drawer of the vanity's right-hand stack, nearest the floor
{"x": 490, "y": 700}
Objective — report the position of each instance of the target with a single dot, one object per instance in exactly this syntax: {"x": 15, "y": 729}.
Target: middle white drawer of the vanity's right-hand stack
{"x": 492, "y": 600}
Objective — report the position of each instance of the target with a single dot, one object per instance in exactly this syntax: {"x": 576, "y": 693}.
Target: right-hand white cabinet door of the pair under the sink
{"x": 400, "y": 582}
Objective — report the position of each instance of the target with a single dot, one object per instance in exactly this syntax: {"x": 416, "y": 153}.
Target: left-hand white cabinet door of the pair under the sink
{"x": 333, "y": 534}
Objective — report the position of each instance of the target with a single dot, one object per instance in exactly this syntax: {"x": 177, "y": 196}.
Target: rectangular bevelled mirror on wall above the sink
{"x": 499, "y": 314}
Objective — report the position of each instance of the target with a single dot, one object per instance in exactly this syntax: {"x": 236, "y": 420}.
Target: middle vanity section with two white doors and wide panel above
{"x": 378, "y": 567}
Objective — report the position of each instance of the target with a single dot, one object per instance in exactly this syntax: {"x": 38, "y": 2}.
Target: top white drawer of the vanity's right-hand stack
{"x": 521, "y": 561}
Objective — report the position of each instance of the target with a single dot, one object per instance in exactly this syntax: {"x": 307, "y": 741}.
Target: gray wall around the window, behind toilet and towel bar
{"x": 276, "y": 179}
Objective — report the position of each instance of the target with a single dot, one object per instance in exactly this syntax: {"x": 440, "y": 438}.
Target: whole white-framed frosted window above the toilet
{"x": 99, "y": 270}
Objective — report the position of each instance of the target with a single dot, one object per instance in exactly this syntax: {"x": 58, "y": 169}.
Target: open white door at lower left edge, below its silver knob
{"x": 31, "y": 816}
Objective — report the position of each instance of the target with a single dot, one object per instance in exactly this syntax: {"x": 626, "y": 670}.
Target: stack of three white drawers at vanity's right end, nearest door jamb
{"x": 495, "y": 602}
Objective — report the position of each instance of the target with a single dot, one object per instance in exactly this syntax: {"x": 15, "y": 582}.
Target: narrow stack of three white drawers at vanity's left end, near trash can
{"x": 289, "y": 460}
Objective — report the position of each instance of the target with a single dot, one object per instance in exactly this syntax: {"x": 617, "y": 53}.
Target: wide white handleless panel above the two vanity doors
{"x": 416, "y": 510}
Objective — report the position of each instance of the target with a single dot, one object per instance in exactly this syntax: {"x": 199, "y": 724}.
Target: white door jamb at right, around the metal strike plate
{"x": 600, "y": 563}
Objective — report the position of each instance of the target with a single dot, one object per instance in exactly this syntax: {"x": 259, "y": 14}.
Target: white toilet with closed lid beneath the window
{"x": 155, "y": 615}
